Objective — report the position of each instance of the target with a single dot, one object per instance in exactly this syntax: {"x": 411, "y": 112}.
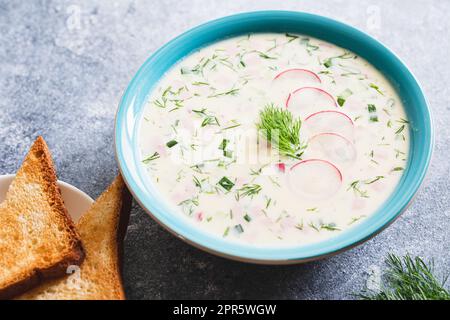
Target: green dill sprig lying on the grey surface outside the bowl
{"x": 408, "y": 278}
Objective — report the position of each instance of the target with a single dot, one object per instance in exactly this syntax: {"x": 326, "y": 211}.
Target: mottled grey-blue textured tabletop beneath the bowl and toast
{"x": 62, "y": 77}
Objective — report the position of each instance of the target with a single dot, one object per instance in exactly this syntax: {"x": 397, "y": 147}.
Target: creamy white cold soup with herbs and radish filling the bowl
{"x": 274, "y": 139}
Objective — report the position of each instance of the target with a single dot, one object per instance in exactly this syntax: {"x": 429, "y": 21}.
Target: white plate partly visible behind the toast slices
{"x": 77, "y": 202}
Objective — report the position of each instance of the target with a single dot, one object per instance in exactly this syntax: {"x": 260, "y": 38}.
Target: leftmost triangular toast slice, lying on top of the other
{"x": 38, "y": 239}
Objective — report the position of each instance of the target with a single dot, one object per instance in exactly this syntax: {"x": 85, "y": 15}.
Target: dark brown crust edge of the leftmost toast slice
{"x": 74, "y": 254}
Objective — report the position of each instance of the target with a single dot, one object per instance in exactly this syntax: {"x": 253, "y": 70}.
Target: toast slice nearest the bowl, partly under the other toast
{"x": 102, "y": 230}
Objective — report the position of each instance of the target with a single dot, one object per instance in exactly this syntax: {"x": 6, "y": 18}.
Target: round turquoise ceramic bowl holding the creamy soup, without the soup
{"x": 135, "y": 97}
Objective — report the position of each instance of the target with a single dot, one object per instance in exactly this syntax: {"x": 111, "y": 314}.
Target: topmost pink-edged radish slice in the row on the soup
{"x": 291, "y": 79}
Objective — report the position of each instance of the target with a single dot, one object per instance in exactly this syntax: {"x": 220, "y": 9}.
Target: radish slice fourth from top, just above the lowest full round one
{"x": 333, "y": 147}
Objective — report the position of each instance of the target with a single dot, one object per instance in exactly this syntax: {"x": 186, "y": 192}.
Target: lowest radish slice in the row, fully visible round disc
{"x": 315, "y": 179}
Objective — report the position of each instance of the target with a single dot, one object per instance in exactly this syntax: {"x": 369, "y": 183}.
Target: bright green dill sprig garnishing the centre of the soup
{"x": 282, "y": 130}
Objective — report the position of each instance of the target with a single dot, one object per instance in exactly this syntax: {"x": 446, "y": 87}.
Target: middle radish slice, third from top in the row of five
{"x": 330, "y": 121}
